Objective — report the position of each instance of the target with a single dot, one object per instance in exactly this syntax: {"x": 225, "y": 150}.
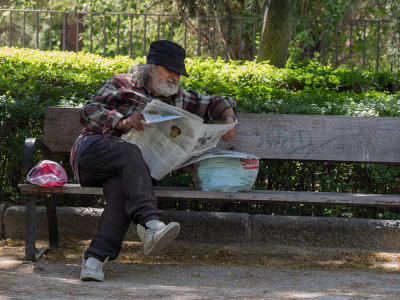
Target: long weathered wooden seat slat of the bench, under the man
{"x": 253, "y": 195}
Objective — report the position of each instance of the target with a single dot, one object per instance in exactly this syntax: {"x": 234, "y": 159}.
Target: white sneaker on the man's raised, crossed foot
{"x": 155, "y": 235}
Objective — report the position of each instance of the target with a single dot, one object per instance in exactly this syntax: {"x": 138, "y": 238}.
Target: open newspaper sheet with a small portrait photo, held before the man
{"x": 171, "y": 136}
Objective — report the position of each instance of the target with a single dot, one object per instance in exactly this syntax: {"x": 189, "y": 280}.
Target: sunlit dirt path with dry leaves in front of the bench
{"x": 187, "y": 271}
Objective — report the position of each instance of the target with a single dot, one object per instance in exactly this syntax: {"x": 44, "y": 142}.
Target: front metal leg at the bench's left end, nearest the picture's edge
{"x": 30, "y": 228}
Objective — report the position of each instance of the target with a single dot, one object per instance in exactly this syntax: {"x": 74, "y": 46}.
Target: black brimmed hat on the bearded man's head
{"x": 168, "y": 54}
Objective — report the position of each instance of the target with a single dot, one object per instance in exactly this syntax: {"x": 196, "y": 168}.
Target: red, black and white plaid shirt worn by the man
{"x": 121, "y": 96}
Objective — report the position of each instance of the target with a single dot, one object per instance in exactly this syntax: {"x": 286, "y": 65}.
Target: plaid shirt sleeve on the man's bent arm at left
{"x": 100, "y": 114}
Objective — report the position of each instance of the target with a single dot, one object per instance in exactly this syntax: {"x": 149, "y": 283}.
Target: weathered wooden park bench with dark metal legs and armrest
{"x": 277, "y": 137}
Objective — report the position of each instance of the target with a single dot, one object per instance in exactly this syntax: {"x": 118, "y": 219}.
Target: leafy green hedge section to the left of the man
{"x": 31, "y": 80}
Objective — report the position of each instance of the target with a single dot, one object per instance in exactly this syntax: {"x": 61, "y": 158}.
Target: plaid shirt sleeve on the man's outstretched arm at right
{"x": 207, "y": 107}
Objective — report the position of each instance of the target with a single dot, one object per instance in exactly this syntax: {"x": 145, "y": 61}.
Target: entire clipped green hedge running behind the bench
{"x": 30, "y": 80}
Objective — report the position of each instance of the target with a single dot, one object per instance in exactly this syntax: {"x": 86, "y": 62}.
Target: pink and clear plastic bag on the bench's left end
{"x": 47, "y": 173}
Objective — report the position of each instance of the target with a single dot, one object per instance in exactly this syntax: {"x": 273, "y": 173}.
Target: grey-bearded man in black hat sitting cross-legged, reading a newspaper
{"x": 101, "y": 159}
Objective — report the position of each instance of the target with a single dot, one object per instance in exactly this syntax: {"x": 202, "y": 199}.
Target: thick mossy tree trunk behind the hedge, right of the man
{"x": 275, "y": 39}
